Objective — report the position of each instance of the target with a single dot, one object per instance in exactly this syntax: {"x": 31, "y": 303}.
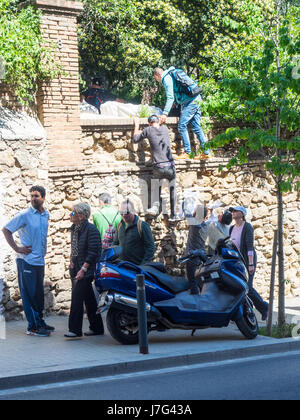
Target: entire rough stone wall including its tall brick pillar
{"x": 79, "y": 160}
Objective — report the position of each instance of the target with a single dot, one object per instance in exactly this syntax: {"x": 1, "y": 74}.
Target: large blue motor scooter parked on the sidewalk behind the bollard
{"x": 169, "y": 303}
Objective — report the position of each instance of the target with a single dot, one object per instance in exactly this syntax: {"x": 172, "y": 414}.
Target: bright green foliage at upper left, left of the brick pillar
{"x": 24, "y": 60}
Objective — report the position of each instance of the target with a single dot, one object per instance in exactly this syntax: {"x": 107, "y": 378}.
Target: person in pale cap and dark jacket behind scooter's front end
{"x": 242, "y": 235}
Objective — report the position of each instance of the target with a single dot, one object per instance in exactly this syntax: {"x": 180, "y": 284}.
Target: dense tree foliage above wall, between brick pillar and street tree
{"x": 124, "y": 40}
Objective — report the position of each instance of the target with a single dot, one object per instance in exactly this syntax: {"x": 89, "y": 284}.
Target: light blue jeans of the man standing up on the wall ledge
{"x": 191, "y": 114}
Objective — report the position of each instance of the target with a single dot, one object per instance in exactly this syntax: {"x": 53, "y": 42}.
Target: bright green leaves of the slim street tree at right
{"x": 266, "y": 94}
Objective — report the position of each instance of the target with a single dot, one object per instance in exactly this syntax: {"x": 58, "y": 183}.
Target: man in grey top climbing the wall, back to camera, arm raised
{"x": 162, "y": 160}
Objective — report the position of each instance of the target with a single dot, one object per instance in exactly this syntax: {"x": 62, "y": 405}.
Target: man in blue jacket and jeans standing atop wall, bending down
{"x": 190, "y": 111}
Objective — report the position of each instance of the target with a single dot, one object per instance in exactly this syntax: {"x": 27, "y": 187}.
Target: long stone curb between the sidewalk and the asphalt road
{"x": 284, "y": 345}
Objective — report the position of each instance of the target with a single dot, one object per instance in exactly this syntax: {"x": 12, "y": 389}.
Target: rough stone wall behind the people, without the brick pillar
{"x": 112, "y": 165}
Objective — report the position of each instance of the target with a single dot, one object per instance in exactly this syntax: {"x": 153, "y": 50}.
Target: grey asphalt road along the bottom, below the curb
{"x": 273, "y": 377}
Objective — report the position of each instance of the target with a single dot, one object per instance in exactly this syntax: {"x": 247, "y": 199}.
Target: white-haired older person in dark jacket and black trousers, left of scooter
{"x": 85, "y": 252}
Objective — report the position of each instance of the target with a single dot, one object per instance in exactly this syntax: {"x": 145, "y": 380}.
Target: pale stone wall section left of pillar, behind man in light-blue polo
{"x": 23, "y": 163}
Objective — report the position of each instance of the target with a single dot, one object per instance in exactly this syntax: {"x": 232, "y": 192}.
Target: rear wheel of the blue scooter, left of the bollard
{"x": 123, "y": 326}
